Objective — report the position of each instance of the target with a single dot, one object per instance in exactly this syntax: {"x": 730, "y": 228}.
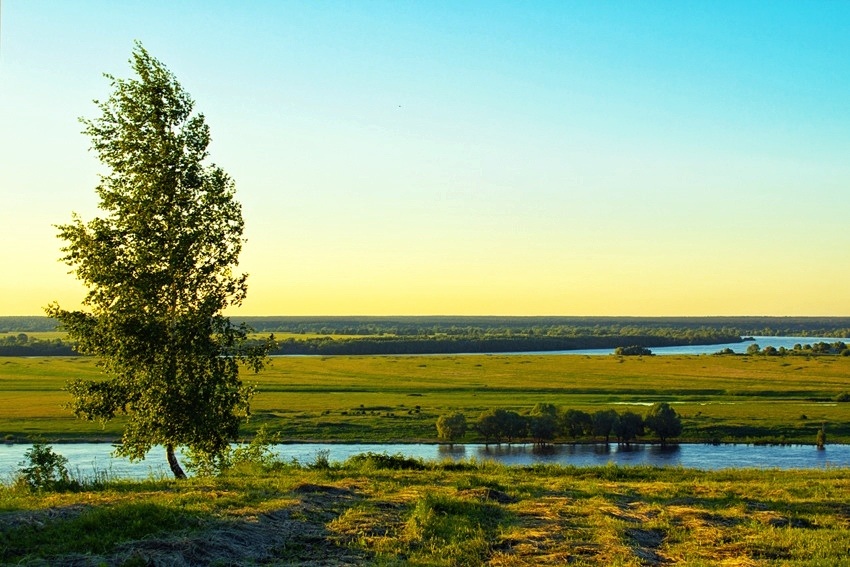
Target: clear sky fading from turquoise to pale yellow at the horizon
{"x": 518, "y": 158}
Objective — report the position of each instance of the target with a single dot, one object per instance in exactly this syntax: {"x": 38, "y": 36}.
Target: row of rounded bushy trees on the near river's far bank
{"x": 546, "y": 423}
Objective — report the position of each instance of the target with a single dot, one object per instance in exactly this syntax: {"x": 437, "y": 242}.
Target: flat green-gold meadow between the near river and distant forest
{"x": 398, "y": 398}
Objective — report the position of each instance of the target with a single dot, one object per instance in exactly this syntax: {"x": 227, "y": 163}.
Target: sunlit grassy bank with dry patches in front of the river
{"x": 374, "y": 511}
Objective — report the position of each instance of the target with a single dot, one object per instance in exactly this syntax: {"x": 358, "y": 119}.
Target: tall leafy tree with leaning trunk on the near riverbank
{"x": 157, "y": 266}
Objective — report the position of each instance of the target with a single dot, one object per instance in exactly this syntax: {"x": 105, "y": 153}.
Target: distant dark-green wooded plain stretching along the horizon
{"x": 457, "y": 334}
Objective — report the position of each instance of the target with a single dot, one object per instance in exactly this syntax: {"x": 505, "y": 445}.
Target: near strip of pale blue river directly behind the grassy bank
{"x": 86, "y": 458}
